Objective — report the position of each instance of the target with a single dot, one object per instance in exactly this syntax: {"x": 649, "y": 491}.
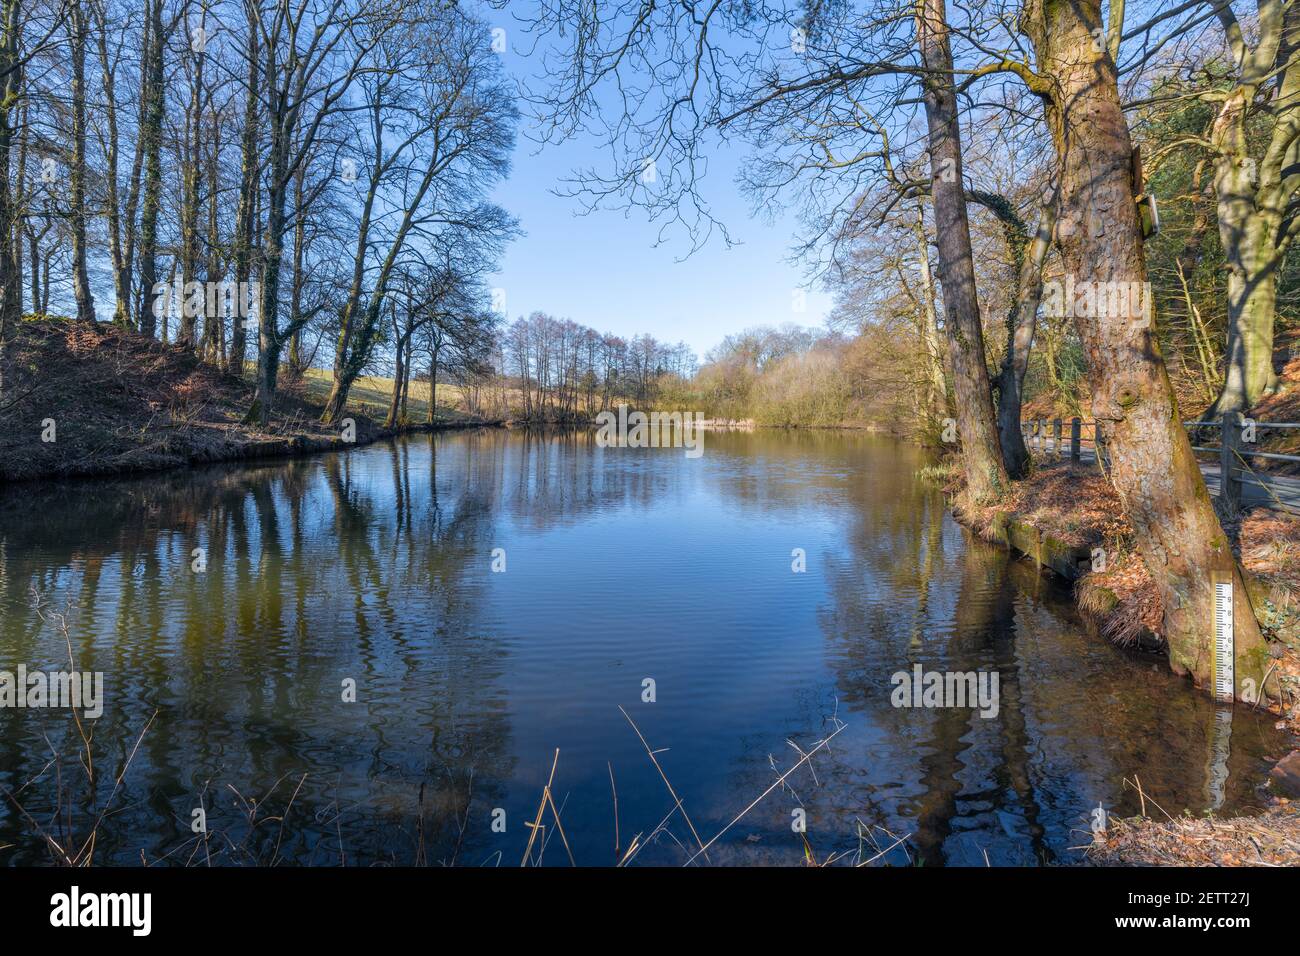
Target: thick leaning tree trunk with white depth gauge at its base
{"x": 1154, "y": 469}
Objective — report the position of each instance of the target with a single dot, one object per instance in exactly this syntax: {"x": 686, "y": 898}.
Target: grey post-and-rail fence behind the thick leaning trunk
{"x": 1237, "y": 435}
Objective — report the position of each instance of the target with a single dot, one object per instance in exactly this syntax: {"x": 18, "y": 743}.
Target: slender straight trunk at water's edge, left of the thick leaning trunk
{"x": 982, "y": 456}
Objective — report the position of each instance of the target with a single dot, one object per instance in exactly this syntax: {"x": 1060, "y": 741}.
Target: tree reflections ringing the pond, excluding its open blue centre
{"x": 374, "y": 565}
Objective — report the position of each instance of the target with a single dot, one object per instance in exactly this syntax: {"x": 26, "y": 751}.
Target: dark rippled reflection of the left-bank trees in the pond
{"x": 318, "y": 569}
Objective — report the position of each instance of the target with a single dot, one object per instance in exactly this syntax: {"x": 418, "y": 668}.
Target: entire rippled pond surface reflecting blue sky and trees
{"x": 623, "y": 565}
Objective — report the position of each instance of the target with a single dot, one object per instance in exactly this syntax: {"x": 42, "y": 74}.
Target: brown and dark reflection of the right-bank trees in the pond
{"x": 1076, "y": 716}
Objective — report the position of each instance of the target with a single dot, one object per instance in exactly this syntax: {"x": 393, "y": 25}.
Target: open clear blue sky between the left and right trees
{"x": 605, "y": 271}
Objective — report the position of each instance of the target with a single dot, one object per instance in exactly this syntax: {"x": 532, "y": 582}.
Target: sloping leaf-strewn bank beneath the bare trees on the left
{"x": 83, "y": 401}
